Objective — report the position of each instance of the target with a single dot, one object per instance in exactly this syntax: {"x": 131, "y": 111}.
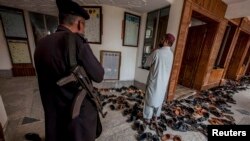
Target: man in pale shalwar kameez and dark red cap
{"x": 160, "y": 62}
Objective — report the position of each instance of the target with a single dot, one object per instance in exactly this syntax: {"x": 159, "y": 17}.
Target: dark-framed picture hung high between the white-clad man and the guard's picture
{"x": 131, "y": 29}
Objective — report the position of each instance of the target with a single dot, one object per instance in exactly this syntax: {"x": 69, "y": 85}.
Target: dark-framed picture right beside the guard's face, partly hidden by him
{"x": 93, "y": 30}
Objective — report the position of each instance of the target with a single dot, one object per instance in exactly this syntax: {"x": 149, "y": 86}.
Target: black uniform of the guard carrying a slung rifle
{"x": 52, "y": 63}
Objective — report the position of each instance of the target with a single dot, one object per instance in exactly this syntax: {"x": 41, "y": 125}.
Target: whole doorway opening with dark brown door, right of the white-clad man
{"x": 197, "y": 49}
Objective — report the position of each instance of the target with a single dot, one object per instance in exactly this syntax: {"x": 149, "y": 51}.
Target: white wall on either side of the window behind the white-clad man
{"x": 173, "y": 27}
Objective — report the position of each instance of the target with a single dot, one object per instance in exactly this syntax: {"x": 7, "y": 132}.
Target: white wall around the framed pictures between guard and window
{"x": 111, "y": 40}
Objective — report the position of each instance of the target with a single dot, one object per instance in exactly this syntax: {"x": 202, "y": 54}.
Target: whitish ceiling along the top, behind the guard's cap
{"x": 49, "y": 6}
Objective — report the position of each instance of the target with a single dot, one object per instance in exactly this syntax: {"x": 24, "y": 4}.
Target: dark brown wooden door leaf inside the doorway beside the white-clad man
{"x": 192, "y": 53}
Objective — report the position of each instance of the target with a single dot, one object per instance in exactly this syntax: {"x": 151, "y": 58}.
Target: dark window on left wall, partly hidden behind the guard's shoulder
{"x": 42, "y": 25}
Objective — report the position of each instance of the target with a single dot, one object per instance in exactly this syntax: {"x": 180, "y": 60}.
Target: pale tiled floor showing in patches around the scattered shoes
{"x": 25, "y": 113}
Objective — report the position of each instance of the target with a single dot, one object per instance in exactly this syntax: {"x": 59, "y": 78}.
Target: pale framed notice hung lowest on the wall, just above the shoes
{"x": 111, "y": 61}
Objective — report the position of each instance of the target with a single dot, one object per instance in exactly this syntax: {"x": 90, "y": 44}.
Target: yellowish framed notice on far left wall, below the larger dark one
{"x": 19, "y": 51}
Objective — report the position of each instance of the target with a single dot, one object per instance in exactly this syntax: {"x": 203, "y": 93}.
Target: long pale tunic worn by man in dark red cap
{"x": 161, "y": 61}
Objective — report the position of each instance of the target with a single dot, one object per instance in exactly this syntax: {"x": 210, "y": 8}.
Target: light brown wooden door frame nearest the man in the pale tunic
{"x": 187, "y": 11}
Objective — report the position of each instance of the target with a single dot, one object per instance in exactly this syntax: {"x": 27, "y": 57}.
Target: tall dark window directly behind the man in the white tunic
{"x": 156, "y": 27}
